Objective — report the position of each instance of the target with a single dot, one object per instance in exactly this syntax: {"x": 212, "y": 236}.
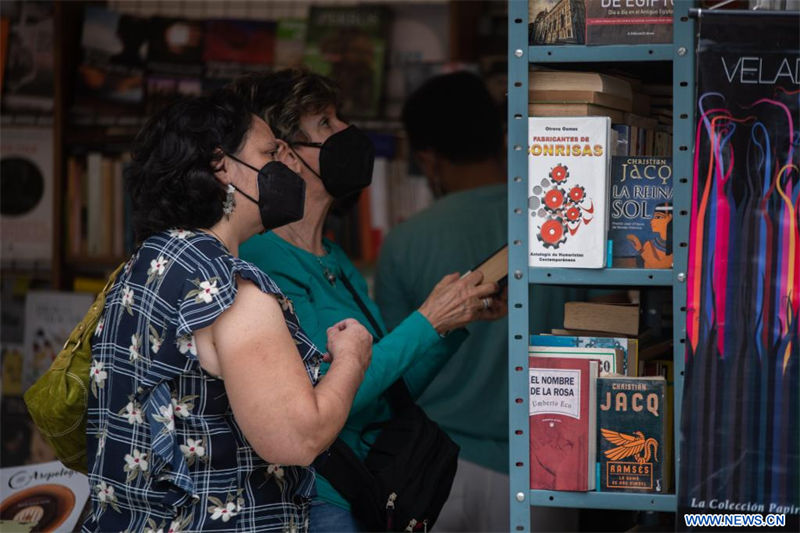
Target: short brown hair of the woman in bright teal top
{"x": 282, "y": 98}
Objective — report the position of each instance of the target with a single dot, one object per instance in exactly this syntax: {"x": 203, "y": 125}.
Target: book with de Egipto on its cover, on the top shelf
{"x": 628, "y": 21}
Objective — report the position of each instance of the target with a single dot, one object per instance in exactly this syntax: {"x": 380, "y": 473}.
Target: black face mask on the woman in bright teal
{"x": 345, "y": 162}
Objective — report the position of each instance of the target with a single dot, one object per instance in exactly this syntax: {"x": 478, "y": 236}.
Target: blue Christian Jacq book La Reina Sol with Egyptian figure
{"x": 640, "y": 229}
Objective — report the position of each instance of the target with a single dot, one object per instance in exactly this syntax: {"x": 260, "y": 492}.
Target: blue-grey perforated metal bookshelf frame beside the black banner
{"x": 520, "y": 56}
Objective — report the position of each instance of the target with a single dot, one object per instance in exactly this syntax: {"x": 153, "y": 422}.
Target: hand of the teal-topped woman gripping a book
{"x": 456, "y": 301}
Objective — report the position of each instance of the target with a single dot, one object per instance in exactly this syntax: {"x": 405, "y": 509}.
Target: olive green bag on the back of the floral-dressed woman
{"x": 59, "y": 399}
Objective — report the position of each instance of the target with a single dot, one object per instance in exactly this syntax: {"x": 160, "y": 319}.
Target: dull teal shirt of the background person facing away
{"x": 469, "y": 396}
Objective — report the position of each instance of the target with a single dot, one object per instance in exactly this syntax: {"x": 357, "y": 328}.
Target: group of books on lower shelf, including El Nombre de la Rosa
{"x": 628, "y": 422}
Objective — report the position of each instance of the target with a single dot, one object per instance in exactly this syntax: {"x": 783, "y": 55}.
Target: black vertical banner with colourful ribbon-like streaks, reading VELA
{"x": 740, "y": 442}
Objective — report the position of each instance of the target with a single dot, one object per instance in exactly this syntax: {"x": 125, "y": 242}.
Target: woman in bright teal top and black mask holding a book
{"x": 336, "y": 162}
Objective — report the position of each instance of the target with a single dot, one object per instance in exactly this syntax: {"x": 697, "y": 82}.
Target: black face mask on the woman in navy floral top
{"x": 281, "y": 194}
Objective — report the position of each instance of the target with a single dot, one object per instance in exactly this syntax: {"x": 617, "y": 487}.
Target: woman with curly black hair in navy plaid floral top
{"x": 172, "y": 445}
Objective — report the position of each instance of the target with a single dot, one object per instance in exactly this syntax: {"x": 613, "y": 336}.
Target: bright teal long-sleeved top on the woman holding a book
{"x": 412, "y": 350}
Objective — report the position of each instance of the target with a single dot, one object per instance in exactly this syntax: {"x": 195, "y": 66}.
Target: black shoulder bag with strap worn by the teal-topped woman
{"x": 407, "y": 475}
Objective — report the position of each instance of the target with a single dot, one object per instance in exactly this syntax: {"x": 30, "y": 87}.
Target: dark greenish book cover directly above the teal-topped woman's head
{"x": 349, "y": 45}
